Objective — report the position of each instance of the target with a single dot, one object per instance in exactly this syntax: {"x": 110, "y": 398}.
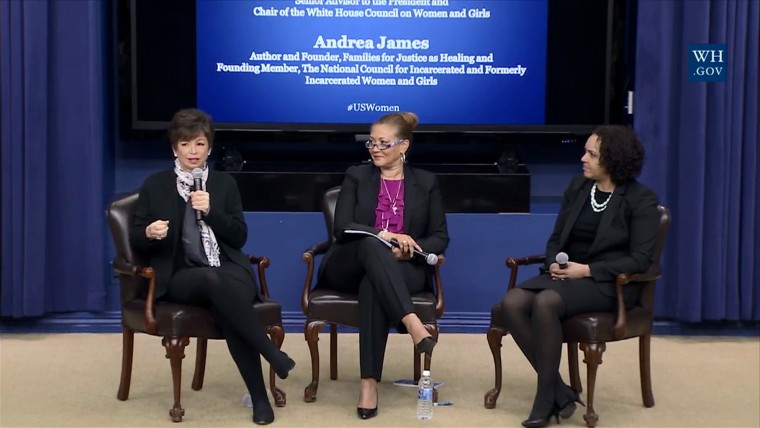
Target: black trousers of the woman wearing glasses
{"x": 384, "y": 286}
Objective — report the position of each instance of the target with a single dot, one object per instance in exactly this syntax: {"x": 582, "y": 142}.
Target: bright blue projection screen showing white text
{"x": 228, "y": 31}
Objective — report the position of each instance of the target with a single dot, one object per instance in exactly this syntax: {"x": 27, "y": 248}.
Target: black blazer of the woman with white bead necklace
{"x": 625, "y": 240}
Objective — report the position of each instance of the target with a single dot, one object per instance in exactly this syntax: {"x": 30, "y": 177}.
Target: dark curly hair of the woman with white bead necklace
{"x": 620, "y": 152}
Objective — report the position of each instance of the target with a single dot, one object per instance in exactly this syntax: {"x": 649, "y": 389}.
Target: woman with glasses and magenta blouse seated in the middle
{"x": 394, "y": 201}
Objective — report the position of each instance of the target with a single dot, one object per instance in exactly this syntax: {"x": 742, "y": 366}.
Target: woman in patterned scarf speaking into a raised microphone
{"x": 198, "y": 260}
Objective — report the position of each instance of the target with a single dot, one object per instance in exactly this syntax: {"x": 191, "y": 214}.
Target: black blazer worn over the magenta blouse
{"x": 424, "y": 218}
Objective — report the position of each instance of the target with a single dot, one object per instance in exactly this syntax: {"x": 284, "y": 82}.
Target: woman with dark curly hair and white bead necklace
{"x": 607, "y": 225}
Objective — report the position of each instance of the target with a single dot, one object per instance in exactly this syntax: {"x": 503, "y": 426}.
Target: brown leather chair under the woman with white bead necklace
{"x": 592, "y": 331}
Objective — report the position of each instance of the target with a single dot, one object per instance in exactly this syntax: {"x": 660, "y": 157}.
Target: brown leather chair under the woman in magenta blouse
{"x": 330, "y": 307}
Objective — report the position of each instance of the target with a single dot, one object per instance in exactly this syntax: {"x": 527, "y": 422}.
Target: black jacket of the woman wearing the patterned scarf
{"x": 158, "y": 201}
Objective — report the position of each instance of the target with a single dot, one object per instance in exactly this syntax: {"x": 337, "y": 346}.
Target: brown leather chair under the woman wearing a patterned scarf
{"x": 176, "y": 323}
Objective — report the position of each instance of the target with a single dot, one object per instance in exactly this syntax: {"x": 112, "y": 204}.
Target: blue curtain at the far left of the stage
{"x": 52, "y": 136}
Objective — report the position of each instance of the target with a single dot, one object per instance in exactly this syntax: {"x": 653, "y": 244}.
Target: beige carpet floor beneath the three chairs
{"x": 70, "y": 380}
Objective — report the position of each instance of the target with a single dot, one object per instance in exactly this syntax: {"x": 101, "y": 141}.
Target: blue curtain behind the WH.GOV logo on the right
{"x": 702, "y": 155}
